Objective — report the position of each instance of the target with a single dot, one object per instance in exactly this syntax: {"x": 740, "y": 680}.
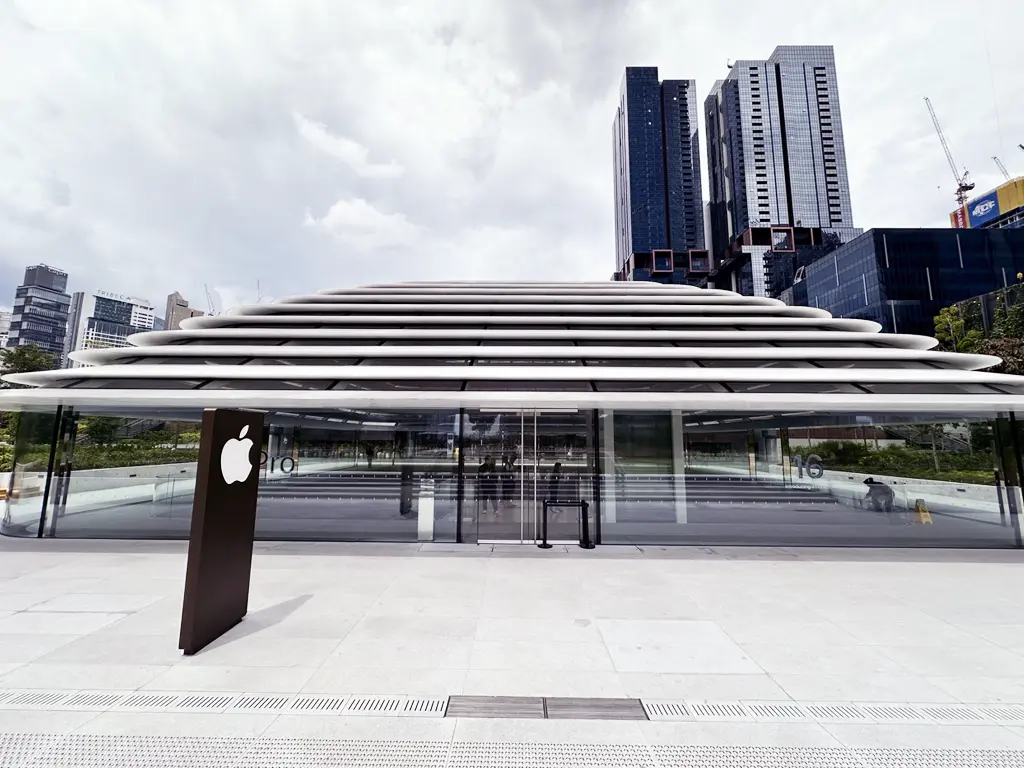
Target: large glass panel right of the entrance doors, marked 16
{"x": 861, "y": 480}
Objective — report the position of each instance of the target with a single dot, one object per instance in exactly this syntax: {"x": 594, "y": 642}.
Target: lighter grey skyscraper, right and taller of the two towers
{"x": 776, "y": 150}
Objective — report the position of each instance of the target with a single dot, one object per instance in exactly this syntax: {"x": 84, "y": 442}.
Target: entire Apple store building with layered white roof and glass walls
{"x": 516, "y": 412}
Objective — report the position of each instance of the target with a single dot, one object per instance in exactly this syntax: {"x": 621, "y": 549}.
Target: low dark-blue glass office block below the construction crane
{"x": 902, "y": 279}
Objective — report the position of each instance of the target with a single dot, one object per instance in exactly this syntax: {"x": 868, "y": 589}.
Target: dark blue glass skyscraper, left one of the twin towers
{"x": 659, "y": 215}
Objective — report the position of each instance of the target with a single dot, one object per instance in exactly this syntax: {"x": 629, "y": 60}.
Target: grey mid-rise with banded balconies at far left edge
{"x": 40, "y": 312}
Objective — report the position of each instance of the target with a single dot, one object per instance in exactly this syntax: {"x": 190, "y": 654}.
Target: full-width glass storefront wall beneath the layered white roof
{"x": 481, "y": 477}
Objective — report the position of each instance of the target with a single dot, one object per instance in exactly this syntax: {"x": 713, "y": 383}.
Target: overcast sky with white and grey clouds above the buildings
{"x": 155, "y": 146}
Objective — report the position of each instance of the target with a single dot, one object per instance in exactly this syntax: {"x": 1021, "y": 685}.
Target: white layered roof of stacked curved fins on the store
{"x": 626, "y": 346}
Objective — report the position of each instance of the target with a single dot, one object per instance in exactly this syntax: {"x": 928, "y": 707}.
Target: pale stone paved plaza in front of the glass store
{"x": 377, "y": 655}
